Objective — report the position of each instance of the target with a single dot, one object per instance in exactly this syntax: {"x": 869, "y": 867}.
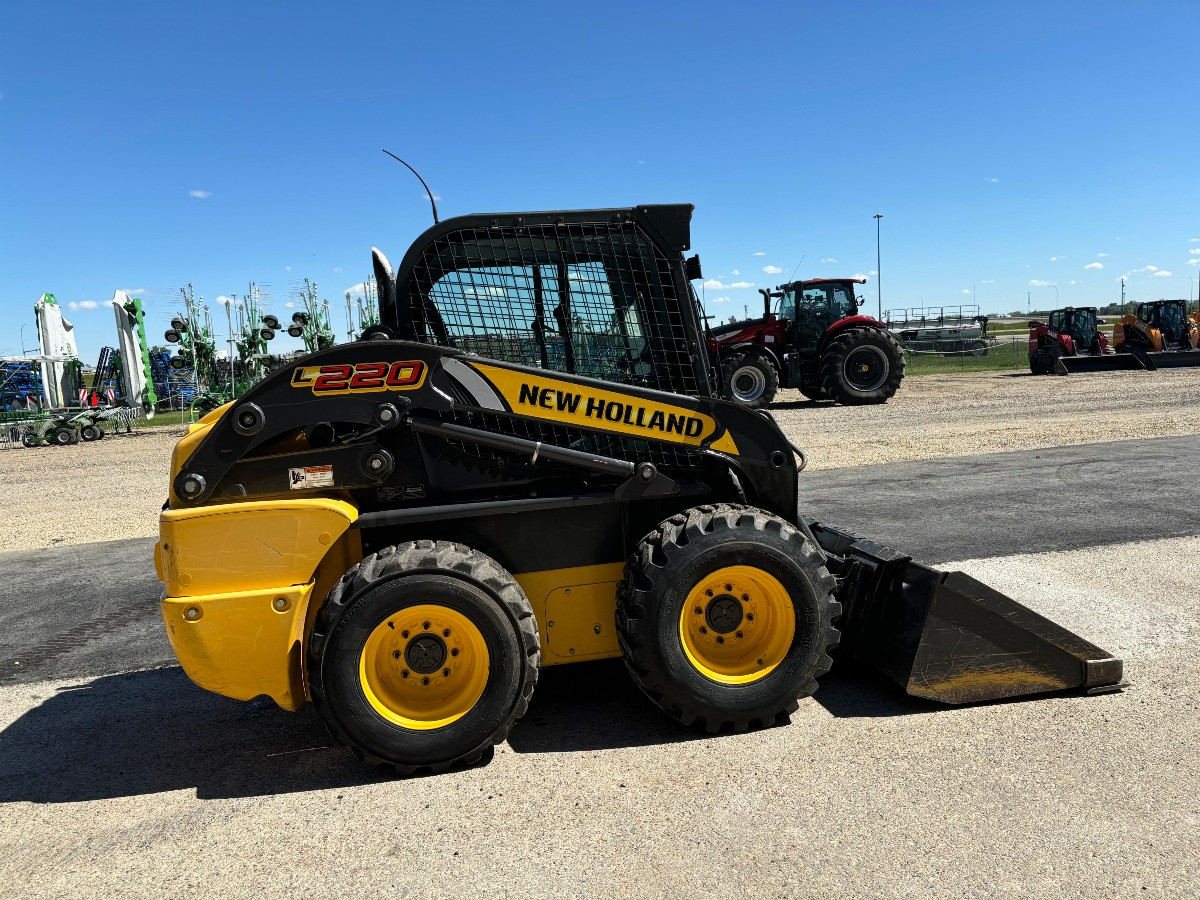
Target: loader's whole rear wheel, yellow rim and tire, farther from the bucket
{"x": 424, "y": 656}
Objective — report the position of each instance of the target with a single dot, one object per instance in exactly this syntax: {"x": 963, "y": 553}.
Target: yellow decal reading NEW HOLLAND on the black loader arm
{"x": 572, "y": 404}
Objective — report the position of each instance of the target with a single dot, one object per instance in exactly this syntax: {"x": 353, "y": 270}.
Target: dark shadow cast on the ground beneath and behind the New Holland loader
{"x": 154, "y": 731}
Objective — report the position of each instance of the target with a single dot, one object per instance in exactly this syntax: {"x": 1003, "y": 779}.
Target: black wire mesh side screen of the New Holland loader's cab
{"x": 592, "y": 299}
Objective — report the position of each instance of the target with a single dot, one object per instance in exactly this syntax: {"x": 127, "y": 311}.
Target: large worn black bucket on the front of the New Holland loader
{"x": 949, "y": 638}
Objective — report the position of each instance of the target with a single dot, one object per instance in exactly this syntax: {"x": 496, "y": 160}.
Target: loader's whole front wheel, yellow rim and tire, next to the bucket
{"x": 725, "y": 617}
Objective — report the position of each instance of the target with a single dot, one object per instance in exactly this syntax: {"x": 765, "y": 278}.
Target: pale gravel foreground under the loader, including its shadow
{"x": 142, "y": 784}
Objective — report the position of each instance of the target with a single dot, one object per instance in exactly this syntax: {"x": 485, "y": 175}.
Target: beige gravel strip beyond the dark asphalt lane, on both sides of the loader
{"x": 112, "y": 490}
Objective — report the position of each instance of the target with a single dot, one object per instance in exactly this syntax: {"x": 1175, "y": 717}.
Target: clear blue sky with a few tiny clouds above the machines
{"x": 1013, "y": 148}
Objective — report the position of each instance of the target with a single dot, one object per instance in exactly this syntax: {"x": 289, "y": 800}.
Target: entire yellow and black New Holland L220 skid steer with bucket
{"x": 526, "y": 465}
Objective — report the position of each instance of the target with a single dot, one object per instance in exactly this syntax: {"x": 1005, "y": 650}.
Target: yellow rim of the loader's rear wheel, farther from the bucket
{"x": 424, "y": 668}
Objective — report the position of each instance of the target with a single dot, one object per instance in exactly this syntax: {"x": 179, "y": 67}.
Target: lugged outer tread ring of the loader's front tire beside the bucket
{"x": 655, "y": 550}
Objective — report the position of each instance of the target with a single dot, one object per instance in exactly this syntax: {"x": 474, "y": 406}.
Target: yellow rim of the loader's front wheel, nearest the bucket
{"x": 737, "y": 625}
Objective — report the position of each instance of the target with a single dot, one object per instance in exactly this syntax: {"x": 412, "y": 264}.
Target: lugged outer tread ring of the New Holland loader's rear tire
{"x": 427, "y": 556}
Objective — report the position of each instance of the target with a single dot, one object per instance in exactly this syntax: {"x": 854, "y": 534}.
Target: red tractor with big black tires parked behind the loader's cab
{"x": 817, "y": 343}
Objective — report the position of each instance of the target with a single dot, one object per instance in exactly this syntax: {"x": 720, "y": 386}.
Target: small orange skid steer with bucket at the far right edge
{"x": 1159, "y": 335}
